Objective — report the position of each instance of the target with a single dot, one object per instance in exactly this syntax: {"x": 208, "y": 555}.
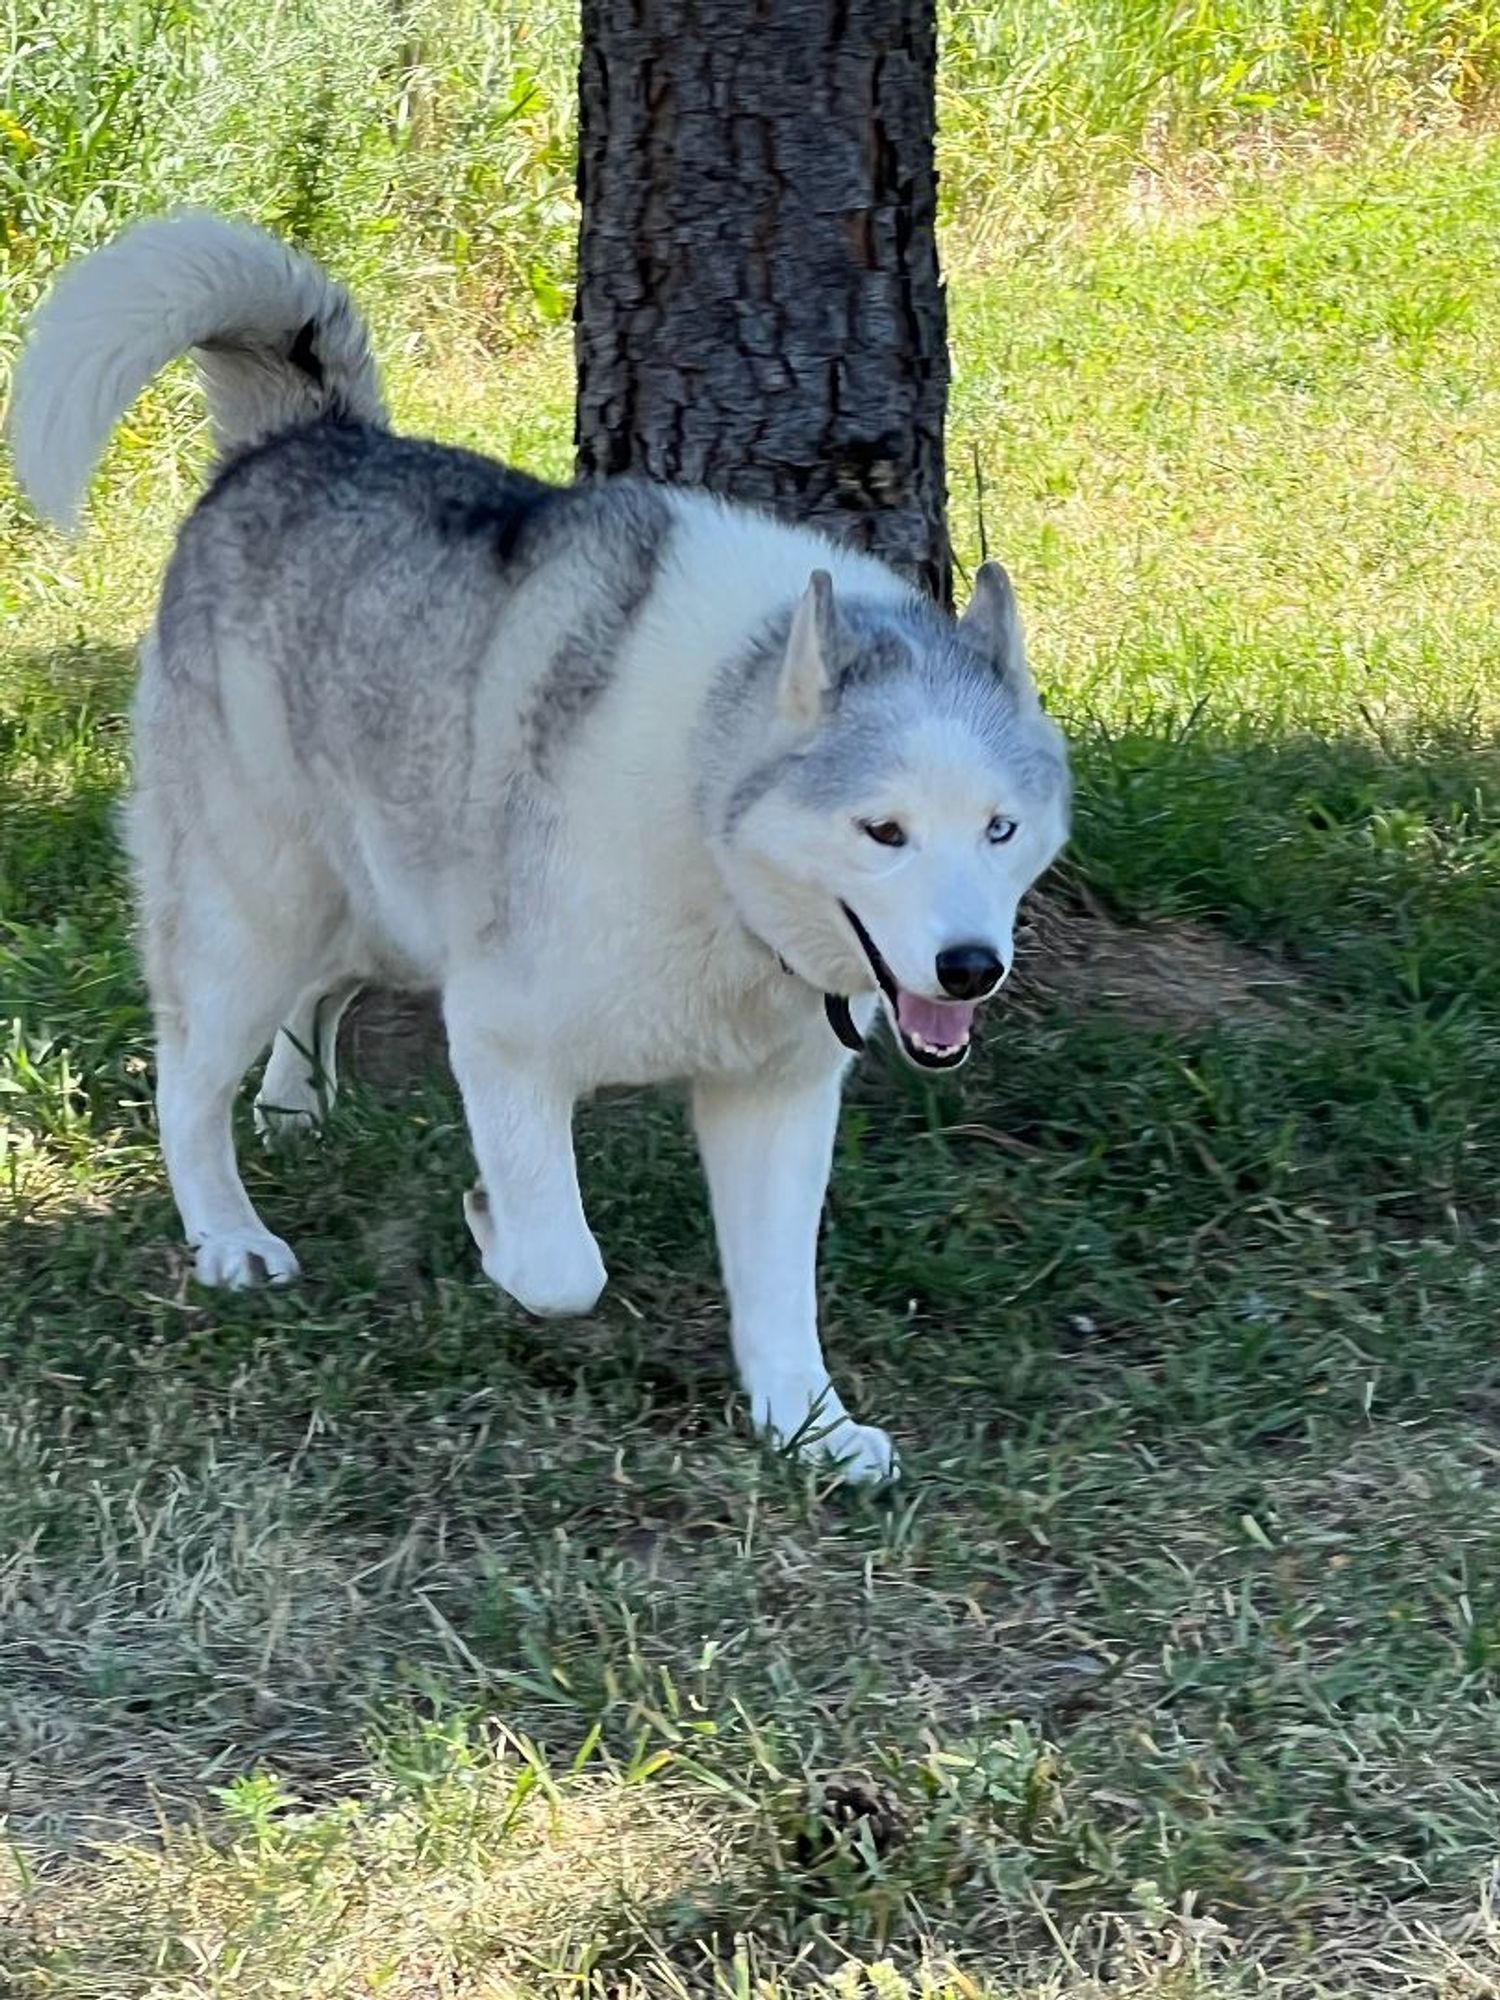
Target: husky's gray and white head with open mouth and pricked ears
{"x": 911, "y": 793}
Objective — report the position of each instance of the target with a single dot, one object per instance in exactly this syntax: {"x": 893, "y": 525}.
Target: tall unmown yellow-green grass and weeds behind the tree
{"x": 429, "y": 145}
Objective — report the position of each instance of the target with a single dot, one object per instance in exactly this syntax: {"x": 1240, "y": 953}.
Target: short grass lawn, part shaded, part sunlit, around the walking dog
{"x": 361, "y": 1641}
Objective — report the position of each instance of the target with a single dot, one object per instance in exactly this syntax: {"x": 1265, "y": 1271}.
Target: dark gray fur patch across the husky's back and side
{"x": 373, "y": 571}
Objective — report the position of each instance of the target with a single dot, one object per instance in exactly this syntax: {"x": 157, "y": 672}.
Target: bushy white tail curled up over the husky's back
{"x": 277, "y": 343}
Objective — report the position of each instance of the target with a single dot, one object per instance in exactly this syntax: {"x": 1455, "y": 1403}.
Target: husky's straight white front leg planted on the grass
{"x": 767, "y": 1149}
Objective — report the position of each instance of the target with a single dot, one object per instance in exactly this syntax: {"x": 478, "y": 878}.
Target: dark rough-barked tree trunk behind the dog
{"x": 759, "y": 297}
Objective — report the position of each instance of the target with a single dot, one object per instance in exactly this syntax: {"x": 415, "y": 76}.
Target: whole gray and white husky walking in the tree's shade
{"x": 645, "y": 785}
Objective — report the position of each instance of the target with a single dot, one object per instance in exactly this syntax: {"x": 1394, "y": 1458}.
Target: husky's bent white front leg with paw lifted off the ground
{"x": 527, "y": 1213}
